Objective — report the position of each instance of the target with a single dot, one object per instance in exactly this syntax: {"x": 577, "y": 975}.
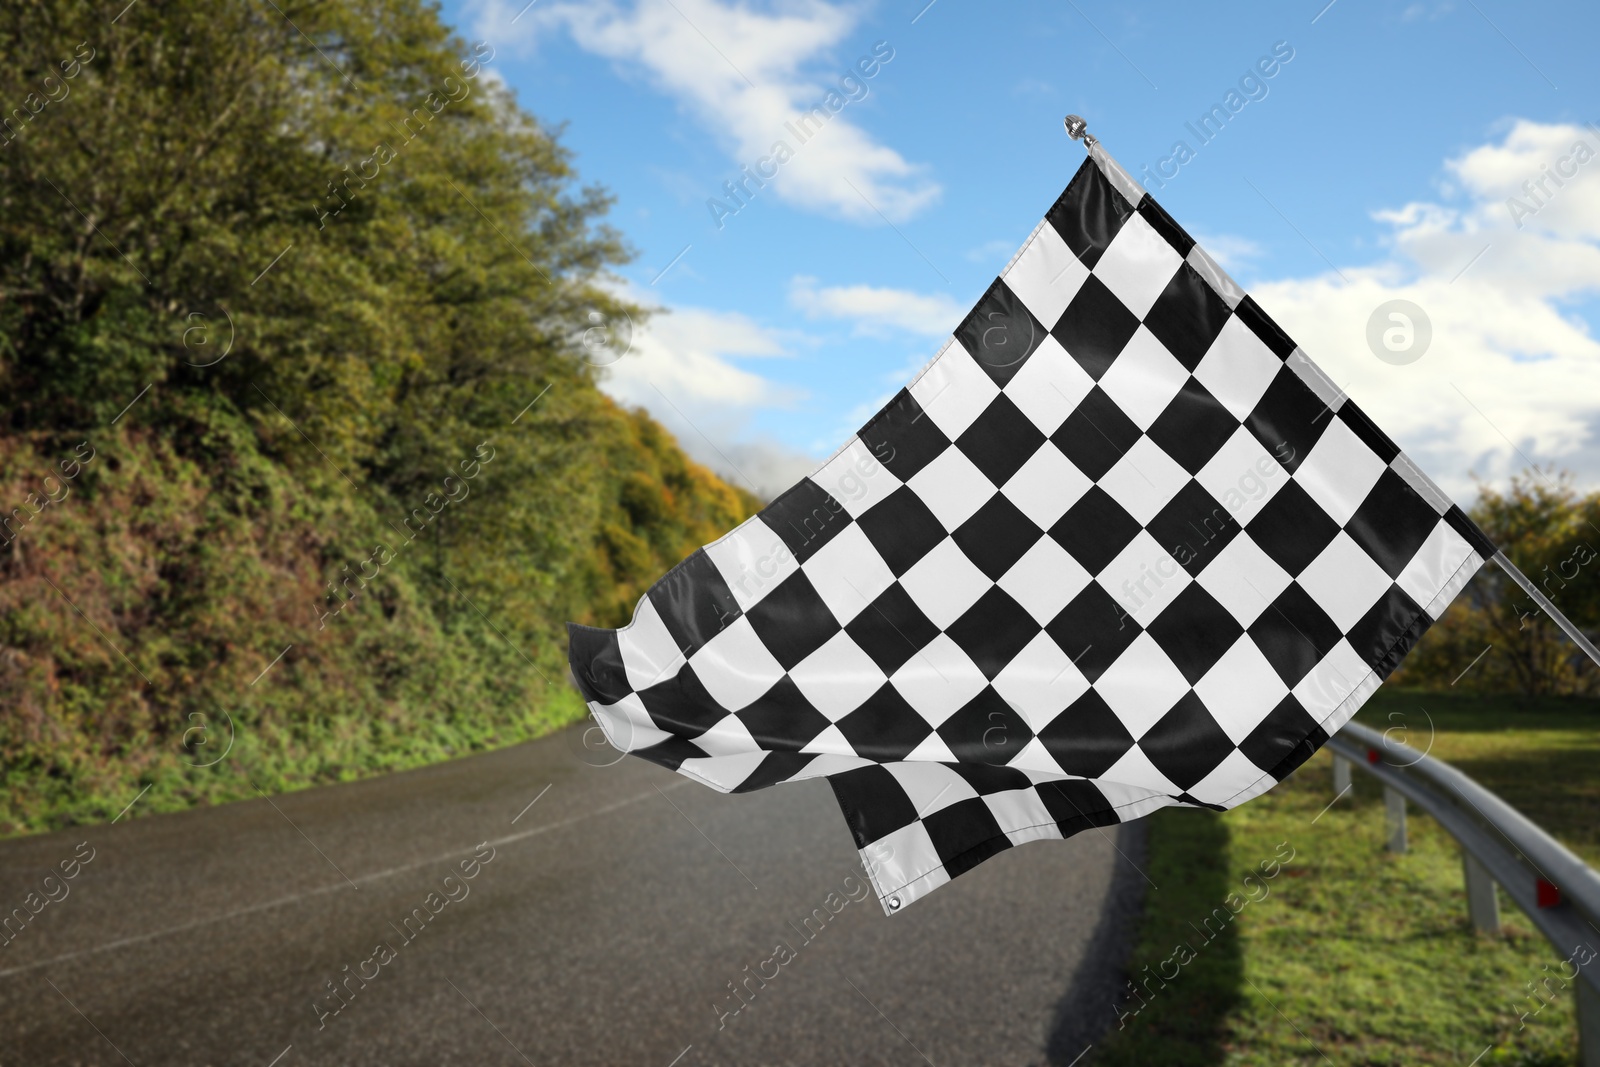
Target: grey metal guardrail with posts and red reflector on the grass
{"x": 1558, "y": 890}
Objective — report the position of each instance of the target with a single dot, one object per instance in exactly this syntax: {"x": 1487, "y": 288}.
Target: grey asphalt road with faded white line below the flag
{"x": 606, "y": 930}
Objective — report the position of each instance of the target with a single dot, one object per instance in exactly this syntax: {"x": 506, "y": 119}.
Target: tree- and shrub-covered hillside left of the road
{"x": 303, "y": 466}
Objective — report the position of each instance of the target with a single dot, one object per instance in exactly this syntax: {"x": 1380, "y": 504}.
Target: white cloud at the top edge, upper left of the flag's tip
{"x": 745, "y": 74}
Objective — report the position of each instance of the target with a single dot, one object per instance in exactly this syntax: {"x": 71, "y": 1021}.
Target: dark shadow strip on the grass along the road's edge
{"x": 1169, "y": 1012}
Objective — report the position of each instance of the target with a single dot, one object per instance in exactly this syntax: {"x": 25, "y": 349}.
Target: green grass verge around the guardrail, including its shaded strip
{"x": 1350, "y": 954}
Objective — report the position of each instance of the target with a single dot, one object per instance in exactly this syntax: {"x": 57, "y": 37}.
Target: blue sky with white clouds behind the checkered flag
{"x": 1444, "y": 153}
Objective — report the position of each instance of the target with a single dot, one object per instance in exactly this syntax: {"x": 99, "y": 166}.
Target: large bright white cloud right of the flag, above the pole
{"x": 1510, "y": 359}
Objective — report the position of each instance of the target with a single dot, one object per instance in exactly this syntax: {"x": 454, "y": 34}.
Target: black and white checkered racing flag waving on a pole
{"x": 1119, "y": 546}
